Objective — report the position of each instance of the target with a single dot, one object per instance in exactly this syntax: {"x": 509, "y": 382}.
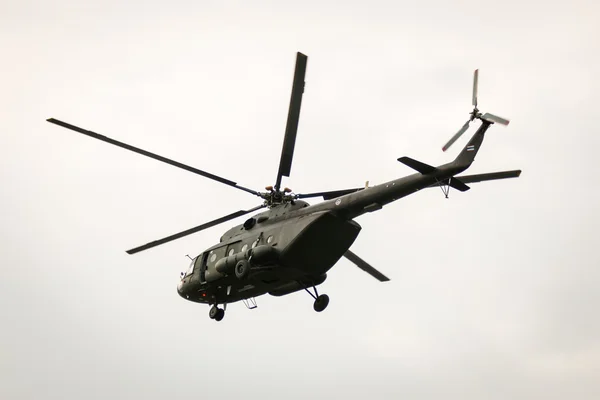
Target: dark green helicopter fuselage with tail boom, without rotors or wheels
{"x": 291, "y": 246}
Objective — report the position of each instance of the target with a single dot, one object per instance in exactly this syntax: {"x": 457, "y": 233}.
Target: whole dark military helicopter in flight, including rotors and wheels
{"x": 291, "y": 246}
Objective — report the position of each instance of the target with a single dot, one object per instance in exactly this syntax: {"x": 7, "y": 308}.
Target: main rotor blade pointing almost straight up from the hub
{"x": 289, "y": 140}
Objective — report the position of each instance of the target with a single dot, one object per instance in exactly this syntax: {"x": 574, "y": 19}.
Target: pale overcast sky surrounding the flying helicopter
{"x": 493, "y": 292}
